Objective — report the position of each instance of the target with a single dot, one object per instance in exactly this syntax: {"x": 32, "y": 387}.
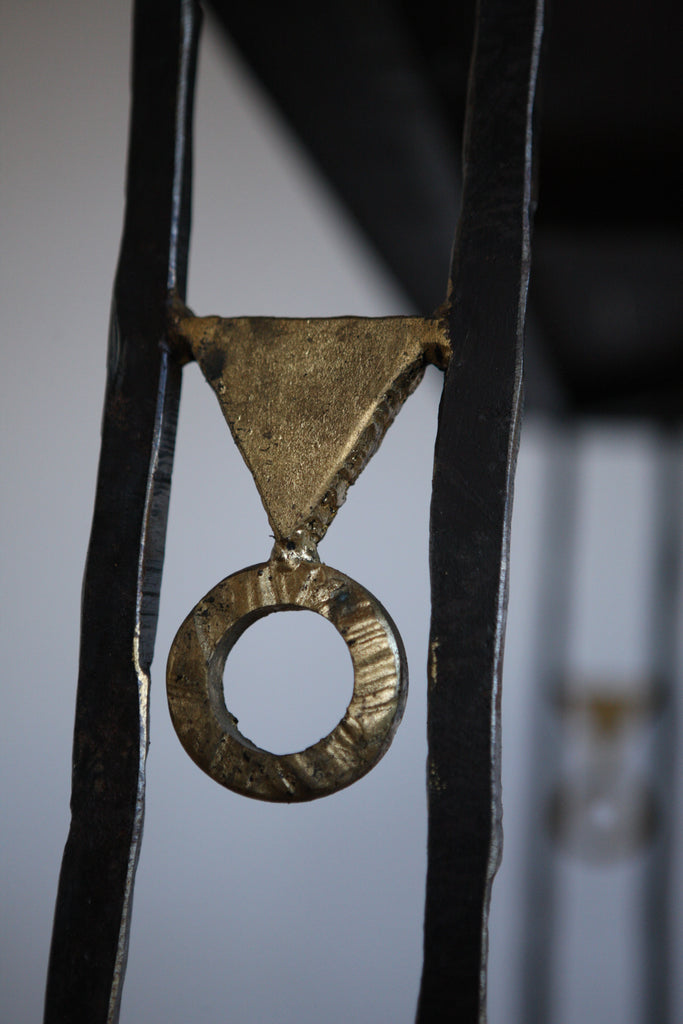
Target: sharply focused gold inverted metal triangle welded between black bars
{"x": 310, "y": 401}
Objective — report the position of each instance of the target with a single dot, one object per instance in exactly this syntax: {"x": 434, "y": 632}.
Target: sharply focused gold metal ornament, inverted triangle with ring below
{"x": 309, "y": 403}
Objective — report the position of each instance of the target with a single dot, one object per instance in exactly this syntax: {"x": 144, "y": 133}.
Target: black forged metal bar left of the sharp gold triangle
{"x": 125, "y": 557}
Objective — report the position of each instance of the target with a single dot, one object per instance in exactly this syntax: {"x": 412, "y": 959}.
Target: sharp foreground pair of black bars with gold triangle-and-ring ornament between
{"x": 308, "y": 402}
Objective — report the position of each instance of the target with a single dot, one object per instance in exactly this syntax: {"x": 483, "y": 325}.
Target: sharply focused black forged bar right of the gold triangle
{"x": 472, "y": 506}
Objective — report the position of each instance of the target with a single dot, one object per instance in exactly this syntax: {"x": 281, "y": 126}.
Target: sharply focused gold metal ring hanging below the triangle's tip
{"x": 208, "y": 731}
